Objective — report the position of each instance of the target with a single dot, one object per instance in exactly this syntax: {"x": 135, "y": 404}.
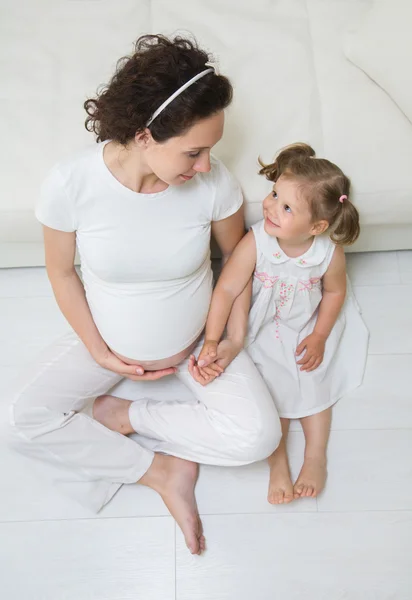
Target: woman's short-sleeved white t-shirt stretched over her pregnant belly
{"x": 145, "y": 258}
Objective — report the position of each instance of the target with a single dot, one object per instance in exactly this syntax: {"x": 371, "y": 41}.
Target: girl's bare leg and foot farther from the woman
{"x": 312, "y": 476}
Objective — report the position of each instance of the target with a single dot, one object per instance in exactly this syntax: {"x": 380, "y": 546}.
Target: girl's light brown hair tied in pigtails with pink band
{"x": 323, "y": 185}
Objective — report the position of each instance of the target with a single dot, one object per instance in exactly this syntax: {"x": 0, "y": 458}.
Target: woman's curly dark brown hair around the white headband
{"x": 144, "y": 80}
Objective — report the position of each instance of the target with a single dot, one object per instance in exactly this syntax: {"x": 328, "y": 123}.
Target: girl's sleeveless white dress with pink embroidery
{"x": 286, "y": 296}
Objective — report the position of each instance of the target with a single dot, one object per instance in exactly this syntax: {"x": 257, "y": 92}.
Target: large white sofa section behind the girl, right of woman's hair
{"x": 293, "y": 83}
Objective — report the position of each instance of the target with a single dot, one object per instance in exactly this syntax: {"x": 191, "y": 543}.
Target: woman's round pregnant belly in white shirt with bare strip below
{"x": 154, "y": 325}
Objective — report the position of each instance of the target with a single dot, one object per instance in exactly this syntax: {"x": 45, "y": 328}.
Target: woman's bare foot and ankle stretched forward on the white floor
{"x": 175, "y": 479}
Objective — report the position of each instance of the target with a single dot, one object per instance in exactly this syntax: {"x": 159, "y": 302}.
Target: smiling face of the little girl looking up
{"x": 286, "y": 212}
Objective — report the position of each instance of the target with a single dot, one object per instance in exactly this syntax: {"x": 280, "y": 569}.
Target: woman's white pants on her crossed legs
{"x": 230, "y": 422}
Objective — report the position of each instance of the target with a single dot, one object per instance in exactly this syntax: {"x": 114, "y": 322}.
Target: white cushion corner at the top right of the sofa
{"x": 382, "y": 47}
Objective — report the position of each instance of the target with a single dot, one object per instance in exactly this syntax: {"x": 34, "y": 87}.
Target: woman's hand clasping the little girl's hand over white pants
{"x": 222, "y": 354}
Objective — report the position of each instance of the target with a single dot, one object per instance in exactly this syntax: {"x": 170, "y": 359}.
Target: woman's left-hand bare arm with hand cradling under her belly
{"x": 60, "y": 247}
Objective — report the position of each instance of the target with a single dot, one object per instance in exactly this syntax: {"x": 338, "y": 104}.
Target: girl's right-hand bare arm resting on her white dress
{"x": 333, "y": 297}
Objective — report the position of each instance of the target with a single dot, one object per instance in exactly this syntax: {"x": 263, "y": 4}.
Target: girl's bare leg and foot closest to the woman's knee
{"x": 280, "y": 483}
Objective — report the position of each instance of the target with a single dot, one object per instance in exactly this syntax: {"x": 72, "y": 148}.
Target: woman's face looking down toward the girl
{"x": 179, "y": 158}
